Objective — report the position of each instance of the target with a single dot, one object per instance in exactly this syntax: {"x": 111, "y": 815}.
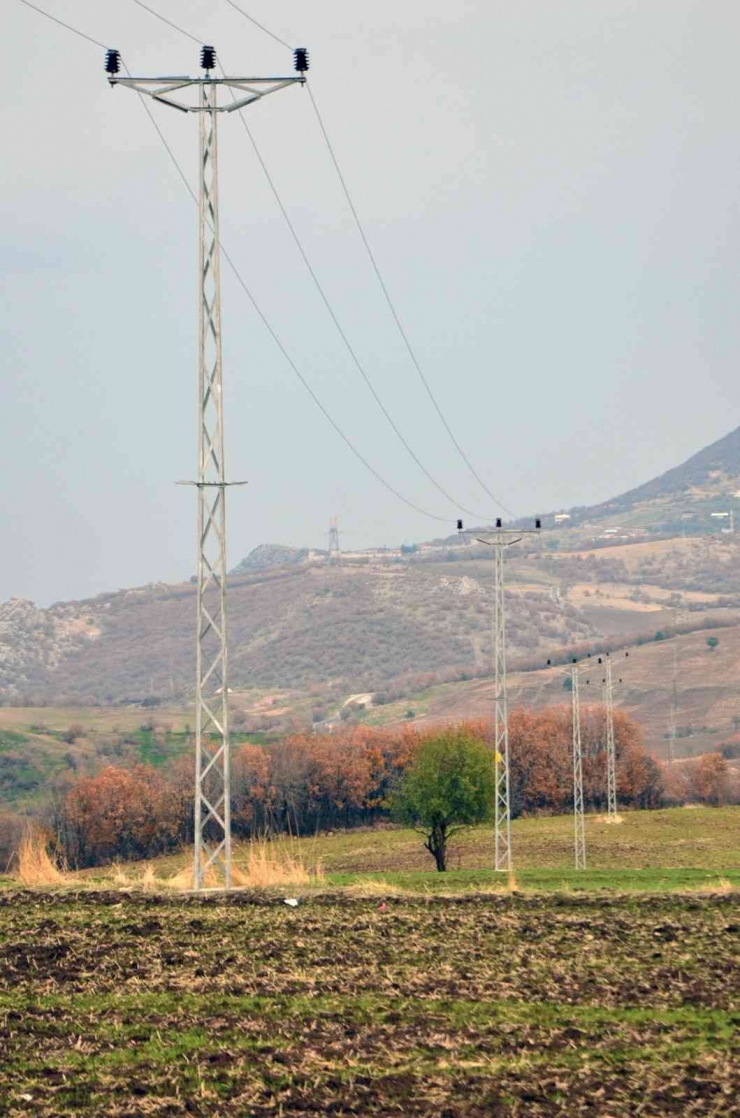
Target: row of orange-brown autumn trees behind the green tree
{"x": 306, "y": 783}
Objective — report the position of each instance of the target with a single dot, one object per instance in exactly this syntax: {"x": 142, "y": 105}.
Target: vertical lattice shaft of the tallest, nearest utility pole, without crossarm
{"x": 213, "y": 823}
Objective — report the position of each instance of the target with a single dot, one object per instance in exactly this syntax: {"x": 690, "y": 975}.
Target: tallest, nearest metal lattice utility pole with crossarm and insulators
{"x": 213, "y": 808}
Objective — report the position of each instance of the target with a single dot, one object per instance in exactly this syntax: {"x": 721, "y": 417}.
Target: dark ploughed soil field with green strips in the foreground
{"x": 470, "y": 1007}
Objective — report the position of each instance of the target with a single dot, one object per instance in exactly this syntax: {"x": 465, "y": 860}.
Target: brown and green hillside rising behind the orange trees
{"x": 388, "y": 636}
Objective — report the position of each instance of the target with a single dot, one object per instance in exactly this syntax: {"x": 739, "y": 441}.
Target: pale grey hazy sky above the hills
{"x": 552, "y": 191}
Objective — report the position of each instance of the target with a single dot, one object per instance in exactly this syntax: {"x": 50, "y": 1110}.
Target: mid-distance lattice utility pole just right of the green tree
{"x": 498, "y": 542}
